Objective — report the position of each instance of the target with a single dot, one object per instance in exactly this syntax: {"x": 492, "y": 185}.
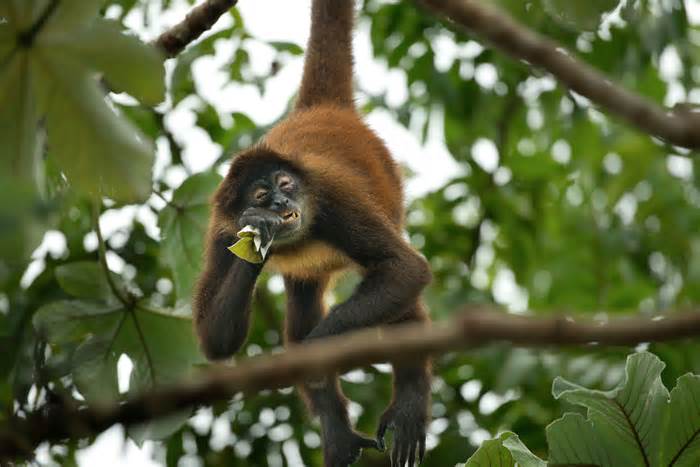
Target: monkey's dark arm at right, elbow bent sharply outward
{"x": 394, "y": 277}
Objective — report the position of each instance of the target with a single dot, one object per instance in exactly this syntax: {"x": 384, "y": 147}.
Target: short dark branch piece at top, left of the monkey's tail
{"x": 199, "y": 20}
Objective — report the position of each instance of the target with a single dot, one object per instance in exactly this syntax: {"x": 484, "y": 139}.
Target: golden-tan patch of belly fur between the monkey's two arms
{"x": 309, "y": 259}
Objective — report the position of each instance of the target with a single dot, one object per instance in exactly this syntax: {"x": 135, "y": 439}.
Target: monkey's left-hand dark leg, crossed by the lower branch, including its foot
{"x": 341, "y": 445}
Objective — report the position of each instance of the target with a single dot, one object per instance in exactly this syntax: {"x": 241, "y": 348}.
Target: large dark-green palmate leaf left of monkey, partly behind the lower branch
{"x": 161, "y": 345}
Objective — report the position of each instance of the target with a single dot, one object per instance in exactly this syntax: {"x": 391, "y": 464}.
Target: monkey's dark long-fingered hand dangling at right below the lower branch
{"x": 407, "y": 417}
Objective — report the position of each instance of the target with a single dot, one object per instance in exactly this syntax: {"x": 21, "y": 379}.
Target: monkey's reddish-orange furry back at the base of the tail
{"x": 334, "y": 143}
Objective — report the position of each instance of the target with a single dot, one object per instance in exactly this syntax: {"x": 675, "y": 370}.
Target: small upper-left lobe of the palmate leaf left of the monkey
{"x": 84, "y": 279}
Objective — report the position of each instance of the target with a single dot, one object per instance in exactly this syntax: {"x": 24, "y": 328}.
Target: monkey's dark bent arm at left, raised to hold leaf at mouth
{"x": 222, "y": 300}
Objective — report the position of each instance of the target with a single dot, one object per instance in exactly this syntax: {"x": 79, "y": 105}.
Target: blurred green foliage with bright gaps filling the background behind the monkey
{"x": 550, "y": 206}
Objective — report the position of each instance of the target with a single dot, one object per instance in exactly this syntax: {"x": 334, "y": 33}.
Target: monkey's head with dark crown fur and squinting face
{"x": 262, "y": 179}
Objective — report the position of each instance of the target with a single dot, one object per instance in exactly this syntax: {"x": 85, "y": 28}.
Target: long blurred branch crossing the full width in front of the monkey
{"x": 470, "y": 328}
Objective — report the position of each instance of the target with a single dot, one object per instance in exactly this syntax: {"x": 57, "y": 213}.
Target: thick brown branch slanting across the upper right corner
{"x": 680, "y": 129}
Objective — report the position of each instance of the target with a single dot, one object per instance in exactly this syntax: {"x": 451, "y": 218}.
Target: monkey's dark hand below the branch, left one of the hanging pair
{"x": 342, "y": 445}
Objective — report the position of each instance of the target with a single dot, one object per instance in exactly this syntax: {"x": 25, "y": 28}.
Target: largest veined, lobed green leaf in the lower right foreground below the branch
{"x": 630, "y": 418}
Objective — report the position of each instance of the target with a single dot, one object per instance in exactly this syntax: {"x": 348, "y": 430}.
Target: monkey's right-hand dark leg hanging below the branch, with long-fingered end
{"x": 408, "y": 414}
